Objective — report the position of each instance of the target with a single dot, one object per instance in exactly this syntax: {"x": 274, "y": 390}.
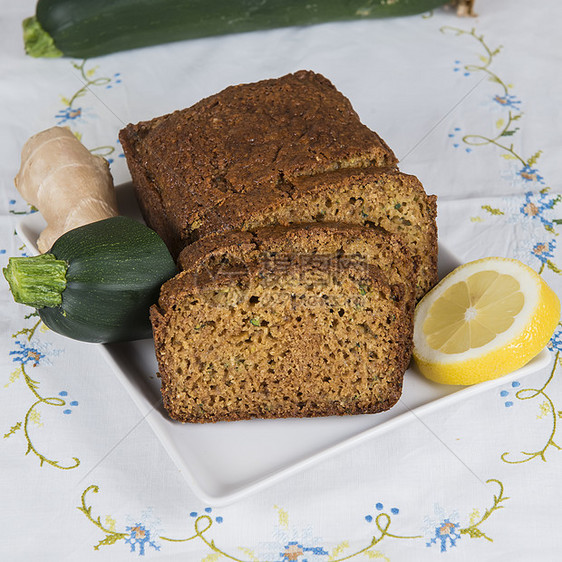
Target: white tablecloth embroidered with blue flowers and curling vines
{"x": 469, "y": 105}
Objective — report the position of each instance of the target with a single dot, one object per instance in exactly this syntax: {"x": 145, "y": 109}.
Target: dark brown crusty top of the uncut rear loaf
{"x": 248, "y": 142}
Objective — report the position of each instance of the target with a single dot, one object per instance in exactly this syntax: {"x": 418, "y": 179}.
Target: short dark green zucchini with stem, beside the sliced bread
{"x": 97, "y": 282}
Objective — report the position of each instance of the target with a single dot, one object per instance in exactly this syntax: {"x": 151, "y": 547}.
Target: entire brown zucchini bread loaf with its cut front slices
{"x": 303, "y": 250}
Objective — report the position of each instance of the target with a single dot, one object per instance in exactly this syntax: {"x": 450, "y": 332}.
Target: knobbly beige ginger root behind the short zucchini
{"x": 68, "y": 185}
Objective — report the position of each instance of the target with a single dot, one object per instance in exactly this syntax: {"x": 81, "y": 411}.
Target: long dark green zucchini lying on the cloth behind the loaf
{"x": 89, "y": 28}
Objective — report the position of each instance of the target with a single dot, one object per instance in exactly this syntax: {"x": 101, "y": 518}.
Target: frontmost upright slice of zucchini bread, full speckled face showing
{"x": 296, "y": 340}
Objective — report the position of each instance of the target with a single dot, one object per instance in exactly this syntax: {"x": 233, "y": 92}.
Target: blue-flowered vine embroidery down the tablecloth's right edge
{"x": 535, "y": 213}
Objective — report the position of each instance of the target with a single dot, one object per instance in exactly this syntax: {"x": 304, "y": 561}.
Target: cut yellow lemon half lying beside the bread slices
{"x": 485, "y": 319}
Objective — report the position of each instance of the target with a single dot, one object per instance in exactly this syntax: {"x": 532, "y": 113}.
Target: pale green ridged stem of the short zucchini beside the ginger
{"x": 37, "y": 281}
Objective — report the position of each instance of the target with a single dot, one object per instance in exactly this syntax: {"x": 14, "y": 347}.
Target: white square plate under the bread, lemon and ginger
{"x": 225, "y": 461}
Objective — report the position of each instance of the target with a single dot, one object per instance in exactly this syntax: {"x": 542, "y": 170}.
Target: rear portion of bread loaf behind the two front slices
{"x": 279, "y": 151}
